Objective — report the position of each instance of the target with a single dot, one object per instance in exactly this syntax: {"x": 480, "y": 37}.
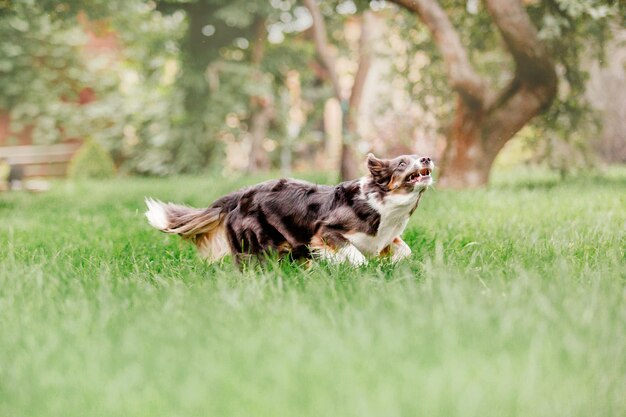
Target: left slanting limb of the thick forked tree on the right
{"x": 461, "y": 75}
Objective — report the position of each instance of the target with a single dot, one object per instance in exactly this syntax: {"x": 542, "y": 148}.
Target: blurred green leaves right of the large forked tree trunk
{"x": 575, "y": 32}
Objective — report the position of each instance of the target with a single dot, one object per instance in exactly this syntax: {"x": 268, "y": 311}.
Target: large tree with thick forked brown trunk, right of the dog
{"x": 486, "y": 116}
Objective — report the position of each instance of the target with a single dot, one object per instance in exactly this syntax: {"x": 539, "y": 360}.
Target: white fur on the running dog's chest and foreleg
{"x": 394, "y": 216}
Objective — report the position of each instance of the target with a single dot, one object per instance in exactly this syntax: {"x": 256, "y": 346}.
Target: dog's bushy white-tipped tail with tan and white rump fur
{"x": 204, "y": 227}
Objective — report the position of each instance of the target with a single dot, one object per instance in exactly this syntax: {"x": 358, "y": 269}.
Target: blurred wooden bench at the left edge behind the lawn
{"x": 40, "y": 160}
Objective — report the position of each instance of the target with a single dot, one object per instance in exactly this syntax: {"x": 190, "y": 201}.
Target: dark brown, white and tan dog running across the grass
{"x": 346, "y": 223}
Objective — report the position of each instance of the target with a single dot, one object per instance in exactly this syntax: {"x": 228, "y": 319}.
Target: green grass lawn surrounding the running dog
{"x": 513, "y": 304}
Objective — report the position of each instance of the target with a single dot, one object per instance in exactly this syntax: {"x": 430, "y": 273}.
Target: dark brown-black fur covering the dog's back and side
{"x": 288, "y": 213}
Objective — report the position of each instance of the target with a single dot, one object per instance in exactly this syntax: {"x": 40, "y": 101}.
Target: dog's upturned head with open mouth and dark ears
{"x": 404, "y": 174}
